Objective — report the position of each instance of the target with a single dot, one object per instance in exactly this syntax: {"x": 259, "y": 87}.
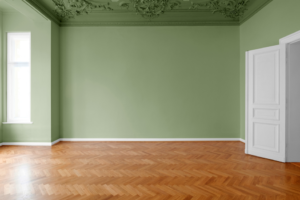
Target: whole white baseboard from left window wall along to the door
{"x": 122, "y": 140}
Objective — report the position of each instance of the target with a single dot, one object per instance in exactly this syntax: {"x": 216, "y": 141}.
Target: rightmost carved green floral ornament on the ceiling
{"x": 233, "y": 9}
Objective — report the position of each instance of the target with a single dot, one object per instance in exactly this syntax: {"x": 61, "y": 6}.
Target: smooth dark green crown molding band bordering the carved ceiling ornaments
{"x": 127, "y": 17}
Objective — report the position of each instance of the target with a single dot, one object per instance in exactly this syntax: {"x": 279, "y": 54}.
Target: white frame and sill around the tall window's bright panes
{"x": 9, "y": 108}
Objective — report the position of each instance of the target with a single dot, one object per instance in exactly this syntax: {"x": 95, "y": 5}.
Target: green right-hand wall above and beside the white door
{"x": 278, "y": 19}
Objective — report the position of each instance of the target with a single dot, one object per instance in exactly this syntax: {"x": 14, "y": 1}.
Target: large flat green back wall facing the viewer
{"x": 149, "y": 82}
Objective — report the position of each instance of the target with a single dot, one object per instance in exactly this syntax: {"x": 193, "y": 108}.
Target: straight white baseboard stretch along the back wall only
{"x": 146, "y": 139}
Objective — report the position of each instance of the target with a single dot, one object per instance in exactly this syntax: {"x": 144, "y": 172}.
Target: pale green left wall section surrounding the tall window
{"x": 40, "y": 130}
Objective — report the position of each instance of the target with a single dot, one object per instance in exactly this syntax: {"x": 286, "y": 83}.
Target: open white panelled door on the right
{"x": 265, "y": 102}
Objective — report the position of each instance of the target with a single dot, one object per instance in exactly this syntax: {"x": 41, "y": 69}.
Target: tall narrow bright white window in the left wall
{"x": 18, "y": 77}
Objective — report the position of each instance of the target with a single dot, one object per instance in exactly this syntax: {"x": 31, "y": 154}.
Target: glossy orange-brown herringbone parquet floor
{"x": 144, "y": 171}
